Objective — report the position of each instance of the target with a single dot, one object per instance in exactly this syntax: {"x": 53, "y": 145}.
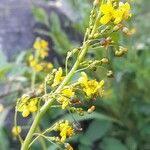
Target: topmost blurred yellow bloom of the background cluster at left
{"x": 40, "y": 44}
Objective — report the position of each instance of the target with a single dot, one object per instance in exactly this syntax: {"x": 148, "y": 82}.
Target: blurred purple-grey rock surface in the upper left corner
{"x": 16, "y": 24}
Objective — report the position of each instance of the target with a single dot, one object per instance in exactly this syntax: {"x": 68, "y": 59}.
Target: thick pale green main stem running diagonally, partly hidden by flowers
{"x": 47, "y": 105}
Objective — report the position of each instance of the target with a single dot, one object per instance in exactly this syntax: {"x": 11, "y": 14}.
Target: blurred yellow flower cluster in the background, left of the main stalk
{"x": 36, "y": 61}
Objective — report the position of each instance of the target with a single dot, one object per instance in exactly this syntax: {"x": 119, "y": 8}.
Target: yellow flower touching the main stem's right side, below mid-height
{"x": 64, "y": 99}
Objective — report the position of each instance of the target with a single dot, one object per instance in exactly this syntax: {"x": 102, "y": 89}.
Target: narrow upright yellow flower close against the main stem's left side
{"x": 58, "y": 77}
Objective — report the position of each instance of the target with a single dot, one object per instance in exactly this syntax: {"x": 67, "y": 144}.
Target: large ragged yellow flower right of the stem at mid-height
{"x": 90, "y": 87}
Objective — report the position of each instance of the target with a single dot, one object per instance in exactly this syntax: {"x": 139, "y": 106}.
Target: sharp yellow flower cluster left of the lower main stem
{"x": 27, "y": 105}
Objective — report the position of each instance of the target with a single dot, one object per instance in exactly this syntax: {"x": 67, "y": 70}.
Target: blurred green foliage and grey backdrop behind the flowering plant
{"x": 122, "y": 118}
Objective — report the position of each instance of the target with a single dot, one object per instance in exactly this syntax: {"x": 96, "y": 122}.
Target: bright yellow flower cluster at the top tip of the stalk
{"x": 113, "y": 13}
